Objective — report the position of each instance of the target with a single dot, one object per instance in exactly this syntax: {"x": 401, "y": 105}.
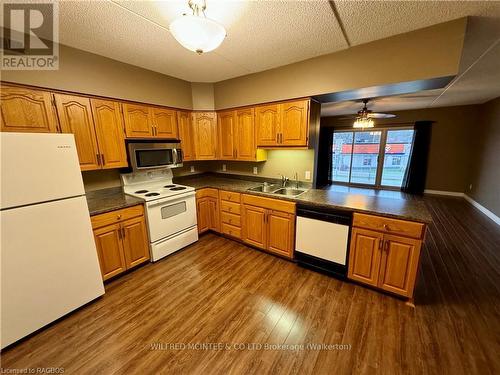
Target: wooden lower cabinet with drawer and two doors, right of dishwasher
{"x": 387, "y": 261}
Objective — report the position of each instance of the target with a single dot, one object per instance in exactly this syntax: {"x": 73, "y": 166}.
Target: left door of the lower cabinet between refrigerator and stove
{"x": 110, "y": 250}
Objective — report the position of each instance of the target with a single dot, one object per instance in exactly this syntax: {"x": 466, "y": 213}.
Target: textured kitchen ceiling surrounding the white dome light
{"x": 261, "y": 34}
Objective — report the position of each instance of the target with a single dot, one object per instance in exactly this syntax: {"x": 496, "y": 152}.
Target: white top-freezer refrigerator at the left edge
{"x": 49, "y": 264}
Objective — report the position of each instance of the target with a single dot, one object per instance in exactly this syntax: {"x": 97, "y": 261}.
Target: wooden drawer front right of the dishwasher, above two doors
{"x": 387, "y": 225}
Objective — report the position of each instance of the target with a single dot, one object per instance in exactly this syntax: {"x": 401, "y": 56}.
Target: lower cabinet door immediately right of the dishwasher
{"x": 364, "y": 257}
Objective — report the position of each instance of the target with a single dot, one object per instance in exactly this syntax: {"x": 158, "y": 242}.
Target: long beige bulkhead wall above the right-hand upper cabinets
{"x": 427, "y": 53}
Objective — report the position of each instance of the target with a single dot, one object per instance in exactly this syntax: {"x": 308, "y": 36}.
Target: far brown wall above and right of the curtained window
{"x": 450, "y": 150}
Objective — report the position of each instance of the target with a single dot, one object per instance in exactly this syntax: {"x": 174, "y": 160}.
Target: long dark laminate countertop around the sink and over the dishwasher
{"x": 410, "y": 208}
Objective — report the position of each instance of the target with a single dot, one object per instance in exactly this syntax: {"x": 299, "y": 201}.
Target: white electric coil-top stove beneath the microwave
{"x": 170, "y": 210}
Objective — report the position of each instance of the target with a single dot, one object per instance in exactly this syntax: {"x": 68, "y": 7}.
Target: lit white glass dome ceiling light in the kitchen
{"x": 196, "y": 32}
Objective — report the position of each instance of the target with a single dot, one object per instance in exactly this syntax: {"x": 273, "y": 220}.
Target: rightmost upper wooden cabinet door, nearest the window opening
{"x": 294, "y": 123}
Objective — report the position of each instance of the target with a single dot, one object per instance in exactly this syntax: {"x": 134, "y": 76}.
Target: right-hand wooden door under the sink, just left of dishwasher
{"x": 281, "y": 227}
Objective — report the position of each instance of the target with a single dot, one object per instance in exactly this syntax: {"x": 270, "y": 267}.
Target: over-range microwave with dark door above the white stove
{"x": 144, "y": 155}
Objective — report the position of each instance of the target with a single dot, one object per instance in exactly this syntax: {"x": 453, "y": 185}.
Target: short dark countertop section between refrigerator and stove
{"x": 105, "y": 200}
